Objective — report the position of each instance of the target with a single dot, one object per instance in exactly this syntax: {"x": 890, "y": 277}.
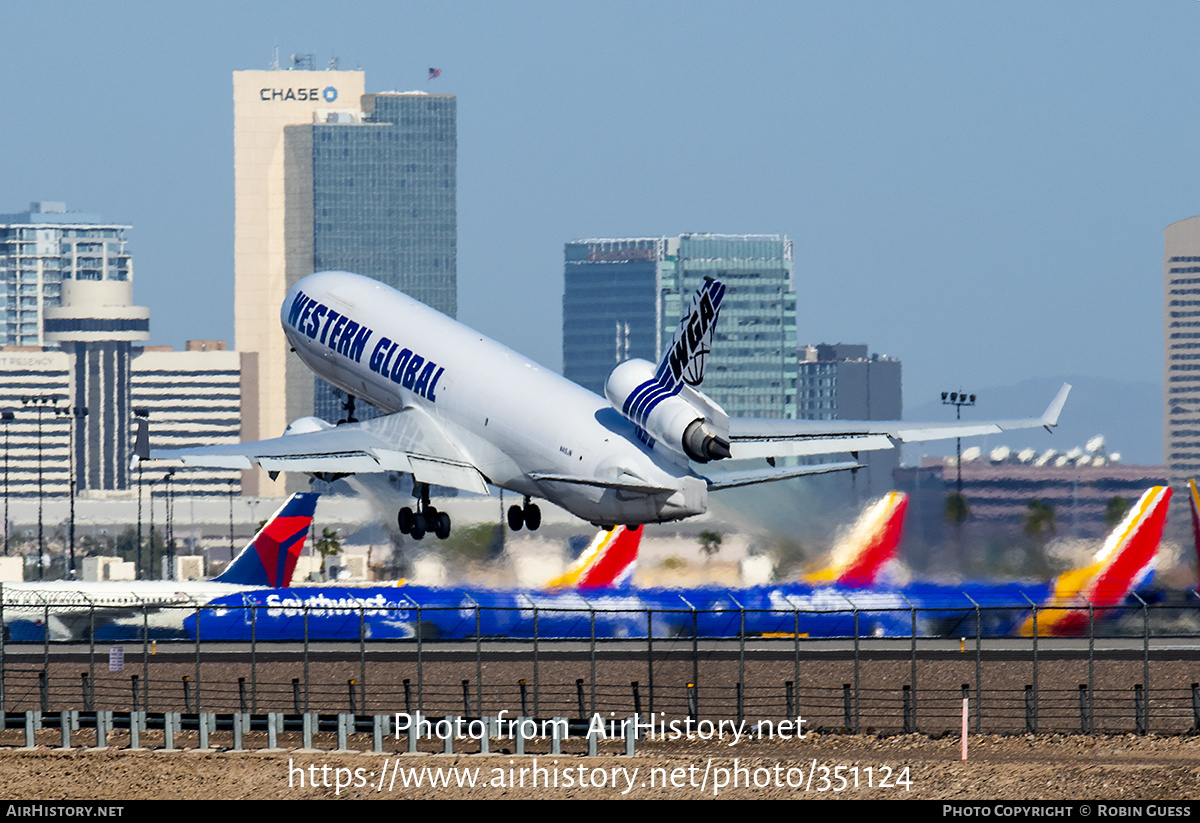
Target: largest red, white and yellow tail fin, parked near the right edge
{"x": 1121, "y": 564}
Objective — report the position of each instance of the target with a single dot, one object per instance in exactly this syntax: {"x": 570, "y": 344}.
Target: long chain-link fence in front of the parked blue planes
{"x": 1126, "y": 670}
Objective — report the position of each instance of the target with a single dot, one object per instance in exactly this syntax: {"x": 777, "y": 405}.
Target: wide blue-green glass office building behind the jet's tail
{"x": 623, "y": 298}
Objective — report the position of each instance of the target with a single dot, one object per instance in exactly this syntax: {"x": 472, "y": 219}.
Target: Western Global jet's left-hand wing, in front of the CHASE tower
{"x": 407, "y": 441}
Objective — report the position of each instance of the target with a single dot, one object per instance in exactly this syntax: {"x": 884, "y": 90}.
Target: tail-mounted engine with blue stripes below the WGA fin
{"x": 687, "y": 422}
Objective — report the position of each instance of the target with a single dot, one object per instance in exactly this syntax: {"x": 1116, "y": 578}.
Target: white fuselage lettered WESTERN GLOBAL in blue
{"x": 508, "y": 416}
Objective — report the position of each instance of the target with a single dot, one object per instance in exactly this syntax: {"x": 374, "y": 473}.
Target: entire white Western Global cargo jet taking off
{"x": 465, "y": 412}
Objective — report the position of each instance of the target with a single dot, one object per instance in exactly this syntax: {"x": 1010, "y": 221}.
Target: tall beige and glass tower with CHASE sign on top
{"x": 332, "y": 178}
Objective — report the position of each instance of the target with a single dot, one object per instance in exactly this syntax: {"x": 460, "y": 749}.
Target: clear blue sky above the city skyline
{"x": 979, "y": 189}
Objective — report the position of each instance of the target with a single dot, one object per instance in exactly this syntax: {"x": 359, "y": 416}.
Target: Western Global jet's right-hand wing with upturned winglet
{"x": 794, "y": 438}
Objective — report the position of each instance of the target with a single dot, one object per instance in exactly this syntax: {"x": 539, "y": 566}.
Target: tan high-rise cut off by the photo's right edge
{"x": 1181, "y": 361}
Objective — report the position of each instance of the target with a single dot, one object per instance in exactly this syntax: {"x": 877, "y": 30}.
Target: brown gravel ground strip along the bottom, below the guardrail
{"x": 1000, "y": 768}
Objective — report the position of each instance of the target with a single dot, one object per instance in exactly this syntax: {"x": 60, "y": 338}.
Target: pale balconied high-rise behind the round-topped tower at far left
{"x": 43, "y": 248}
